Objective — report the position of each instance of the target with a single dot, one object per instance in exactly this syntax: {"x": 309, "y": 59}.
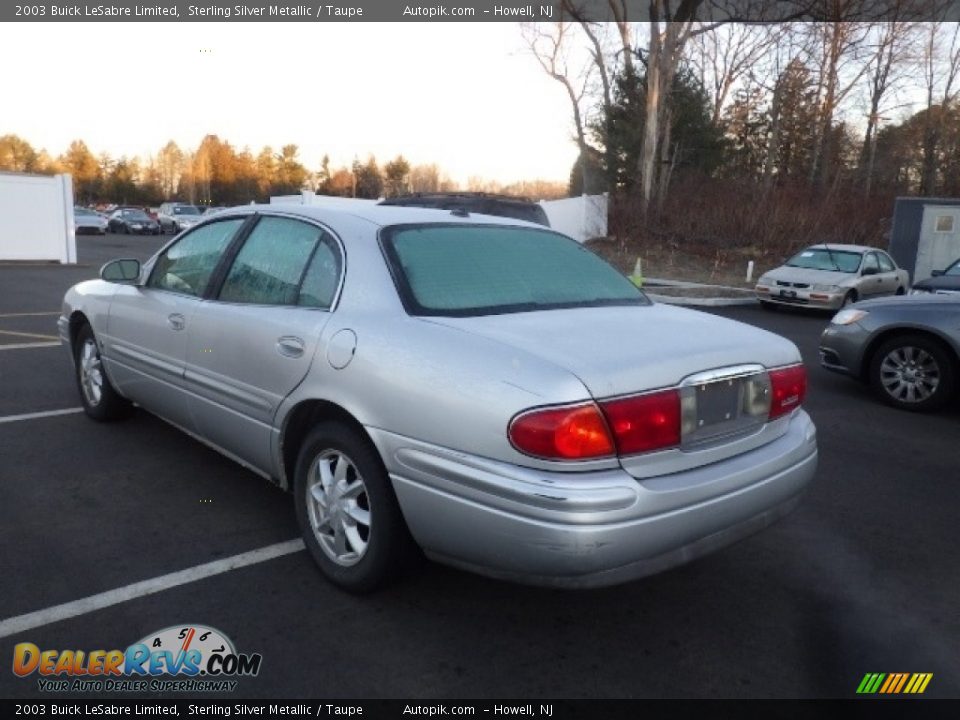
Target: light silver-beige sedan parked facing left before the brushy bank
{"x": 832, "y": 276}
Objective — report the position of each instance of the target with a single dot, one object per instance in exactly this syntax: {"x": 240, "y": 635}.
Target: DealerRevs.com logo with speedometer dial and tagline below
{"x": 182, "y": 658}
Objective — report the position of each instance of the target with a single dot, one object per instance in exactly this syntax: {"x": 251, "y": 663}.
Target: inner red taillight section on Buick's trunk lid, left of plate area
{"x": 645, "y": 422}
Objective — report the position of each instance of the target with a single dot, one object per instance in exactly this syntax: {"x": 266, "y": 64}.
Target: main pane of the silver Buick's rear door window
{"x": 272, "y": 262}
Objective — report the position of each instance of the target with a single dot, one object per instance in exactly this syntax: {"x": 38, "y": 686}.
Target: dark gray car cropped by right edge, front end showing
{"x": 908, "y": 348}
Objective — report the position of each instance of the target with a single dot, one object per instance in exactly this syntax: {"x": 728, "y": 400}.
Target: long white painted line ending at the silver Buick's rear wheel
{"x": 22, "y": 623}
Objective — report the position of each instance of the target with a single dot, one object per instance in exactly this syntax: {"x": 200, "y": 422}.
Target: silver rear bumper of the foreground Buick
{"x": 597, "y": 528}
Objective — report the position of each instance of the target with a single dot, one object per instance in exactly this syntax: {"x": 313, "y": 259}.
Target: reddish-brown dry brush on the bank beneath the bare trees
{"x": 709, "y": 229}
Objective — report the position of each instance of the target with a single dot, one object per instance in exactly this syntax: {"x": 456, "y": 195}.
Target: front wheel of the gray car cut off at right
{"x": 913, "y": 372}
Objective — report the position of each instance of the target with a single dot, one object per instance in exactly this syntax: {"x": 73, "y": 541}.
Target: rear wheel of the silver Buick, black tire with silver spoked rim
{"x": 373, "y": 554}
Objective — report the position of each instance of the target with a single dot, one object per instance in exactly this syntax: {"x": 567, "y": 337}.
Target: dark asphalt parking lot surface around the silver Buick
{"x": 863, "y": 577}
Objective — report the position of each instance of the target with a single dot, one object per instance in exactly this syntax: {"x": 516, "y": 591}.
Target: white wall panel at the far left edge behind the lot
{"x": 36, "y": 218}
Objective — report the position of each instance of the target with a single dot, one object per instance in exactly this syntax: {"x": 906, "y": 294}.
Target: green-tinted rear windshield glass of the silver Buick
{"x": 465, "y": 270}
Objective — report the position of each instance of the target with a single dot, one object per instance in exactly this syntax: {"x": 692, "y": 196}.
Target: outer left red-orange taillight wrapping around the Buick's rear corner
{"x": 570, "y": 433}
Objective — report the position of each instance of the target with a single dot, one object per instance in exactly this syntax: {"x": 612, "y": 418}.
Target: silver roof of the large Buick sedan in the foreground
{"x": 379, "y": 215}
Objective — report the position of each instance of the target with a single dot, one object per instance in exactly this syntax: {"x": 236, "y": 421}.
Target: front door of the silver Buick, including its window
{"x": 146, "y": 340}
